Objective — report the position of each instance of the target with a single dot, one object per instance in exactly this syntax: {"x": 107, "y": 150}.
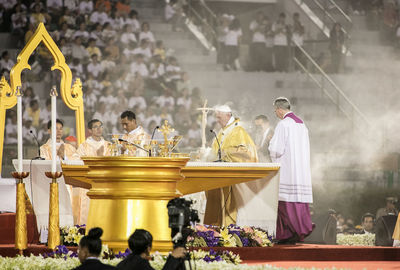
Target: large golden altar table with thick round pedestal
{"x": 132, "y": 192}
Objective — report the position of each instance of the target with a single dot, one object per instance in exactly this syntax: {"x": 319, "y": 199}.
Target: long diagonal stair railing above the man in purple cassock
{"x": 335, "y": 94}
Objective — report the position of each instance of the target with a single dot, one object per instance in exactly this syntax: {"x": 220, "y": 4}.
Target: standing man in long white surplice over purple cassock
{"x": 290, "y": 146}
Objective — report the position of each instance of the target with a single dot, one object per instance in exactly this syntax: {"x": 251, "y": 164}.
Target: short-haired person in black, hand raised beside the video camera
{"x": 140, "y": 243}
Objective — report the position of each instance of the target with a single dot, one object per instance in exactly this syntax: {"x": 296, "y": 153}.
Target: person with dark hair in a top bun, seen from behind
{"x": 89, "y": 250}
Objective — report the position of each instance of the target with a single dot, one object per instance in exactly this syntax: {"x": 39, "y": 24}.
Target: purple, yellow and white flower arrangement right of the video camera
{"x": 231, "y": 236}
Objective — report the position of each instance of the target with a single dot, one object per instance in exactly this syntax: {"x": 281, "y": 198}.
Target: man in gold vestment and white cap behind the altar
{"x": 236, "y": 146}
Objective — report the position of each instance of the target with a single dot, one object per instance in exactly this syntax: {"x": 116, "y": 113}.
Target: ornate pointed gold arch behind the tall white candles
{"x": 71, "y": 94}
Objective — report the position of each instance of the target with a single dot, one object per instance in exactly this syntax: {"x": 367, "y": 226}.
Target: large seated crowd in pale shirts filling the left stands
{"x": 119, "y": 60}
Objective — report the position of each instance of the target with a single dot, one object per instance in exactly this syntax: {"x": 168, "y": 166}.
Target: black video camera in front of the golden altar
{"x": 180, "y": 215}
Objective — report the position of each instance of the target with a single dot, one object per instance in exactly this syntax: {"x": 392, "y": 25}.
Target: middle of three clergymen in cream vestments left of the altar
{"x": 93, "y": 146}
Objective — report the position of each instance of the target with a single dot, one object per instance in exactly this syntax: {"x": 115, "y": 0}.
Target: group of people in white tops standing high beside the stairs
{"x": 270, "y": 45}
